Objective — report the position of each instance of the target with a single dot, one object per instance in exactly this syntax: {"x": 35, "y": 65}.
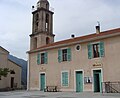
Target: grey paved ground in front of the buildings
{"x": 38, "y": 94}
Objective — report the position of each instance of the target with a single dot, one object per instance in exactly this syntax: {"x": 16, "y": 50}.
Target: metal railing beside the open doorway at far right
{"x": 110, "y": 87}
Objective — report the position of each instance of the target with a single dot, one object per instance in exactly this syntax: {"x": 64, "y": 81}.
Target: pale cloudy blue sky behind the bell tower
{"x": 77, "y": 17}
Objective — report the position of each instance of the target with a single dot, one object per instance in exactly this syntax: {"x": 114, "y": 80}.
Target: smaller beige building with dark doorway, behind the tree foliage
{"x": 13, "y": 79}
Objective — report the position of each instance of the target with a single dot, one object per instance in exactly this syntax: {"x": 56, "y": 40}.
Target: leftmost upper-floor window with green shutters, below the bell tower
{"x": 42, "y": 58}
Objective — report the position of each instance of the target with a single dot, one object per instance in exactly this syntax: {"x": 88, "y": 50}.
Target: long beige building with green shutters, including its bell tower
{"x": 76, "y": 64}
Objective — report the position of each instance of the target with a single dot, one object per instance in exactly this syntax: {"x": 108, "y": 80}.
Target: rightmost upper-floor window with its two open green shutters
{"x": 96, "y": 50}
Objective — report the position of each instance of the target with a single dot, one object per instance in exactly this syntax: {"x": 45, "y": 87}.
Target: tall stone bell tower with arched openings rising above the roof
{"x": 42, "y": 26}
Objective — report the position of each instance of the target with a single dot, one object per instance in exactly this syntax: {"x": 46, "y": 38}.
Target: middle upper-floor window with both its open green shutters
{"x": 64, "y": 55}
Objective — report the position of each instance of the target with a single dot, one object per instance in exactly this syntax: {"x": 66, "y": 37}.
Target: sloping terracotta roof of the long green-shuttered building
{"x": 71, "y": 40}
